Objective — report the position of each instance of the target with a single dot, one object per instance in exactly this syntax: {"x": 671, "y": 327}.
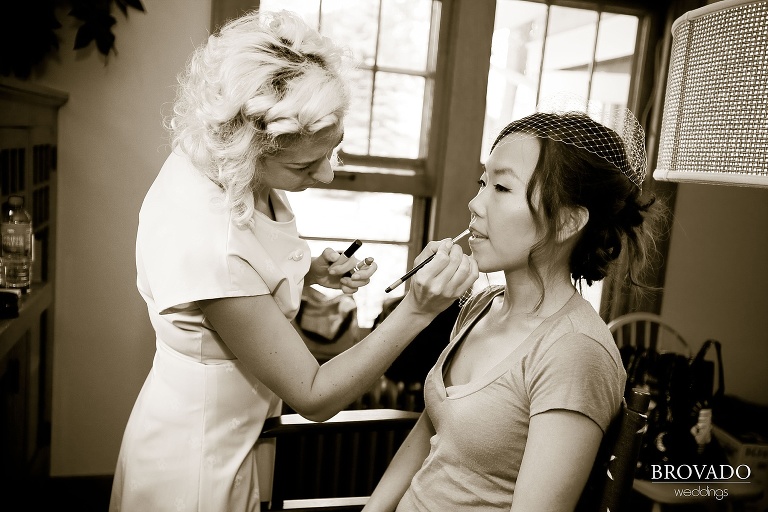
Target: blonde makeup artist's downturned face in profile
{"x": 304, "y": 163}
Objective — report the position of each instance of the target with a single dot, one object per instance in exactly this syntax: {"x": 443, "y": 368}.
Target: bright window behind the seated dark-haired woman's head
{"x": 540, "y": 50}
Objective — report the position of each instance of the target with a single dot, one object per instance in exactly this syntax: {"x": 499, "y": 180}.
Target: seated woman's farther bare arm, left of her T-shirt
{"x": 407, "y": 461}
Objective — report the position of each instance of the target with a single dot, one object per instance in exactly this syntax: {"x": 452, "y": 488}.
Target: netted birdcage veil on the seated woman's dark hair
{"x": 581, "y": 123}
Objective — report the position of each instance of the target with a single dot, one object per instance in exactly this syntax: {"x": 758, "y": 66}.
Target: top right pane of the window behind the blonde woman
{"x": 404, "y": 40}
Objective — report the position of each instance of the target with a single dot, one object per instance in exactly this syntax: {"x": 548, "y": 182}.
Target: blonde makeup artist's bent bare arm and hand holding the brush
{"x": 257, "y": 332}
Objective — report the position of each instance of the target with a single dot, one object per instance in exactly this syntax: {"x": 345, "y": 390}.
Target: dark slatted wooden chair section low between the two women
{"x": 332, "y": 465}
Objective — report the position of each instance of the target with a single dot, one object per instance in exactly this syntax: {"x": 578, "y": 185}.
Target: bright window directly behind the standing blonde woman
{"x": 380, "y": 190}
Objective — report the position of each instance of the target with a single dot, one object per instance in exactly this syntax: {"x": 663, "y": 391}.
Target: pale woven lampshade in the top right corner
{"x": 715, "y": 120}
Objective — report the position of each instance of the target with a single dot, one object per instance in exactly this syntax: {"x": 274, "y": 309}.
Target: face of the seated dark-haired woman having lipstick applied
{"x": 503, "y": 227}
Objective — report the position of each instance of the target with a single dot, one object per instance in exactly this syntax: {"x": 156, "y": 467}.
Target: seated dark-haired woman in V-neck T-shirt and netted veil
{"x": 518, "y": 402}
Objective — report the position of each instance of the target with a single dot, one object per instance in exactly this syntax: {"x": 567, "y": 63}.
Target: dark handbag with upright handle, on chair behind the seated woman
{"x": 683, "y": 395}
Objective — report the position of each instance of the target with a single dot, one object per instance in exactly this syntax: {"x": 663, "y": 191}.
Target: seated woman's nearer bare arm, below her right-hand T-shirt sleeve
{"x": 559, "y": 454}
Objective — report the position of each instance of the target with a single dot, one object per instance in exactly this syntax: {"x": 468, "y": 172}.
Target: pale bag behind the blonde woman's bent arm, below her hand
{"x": 327, "y": 324}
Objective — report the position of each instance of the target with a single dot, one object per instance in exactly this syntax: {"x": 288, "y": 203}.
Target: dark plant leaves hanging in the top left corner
{"x": 28, "y": 29}
